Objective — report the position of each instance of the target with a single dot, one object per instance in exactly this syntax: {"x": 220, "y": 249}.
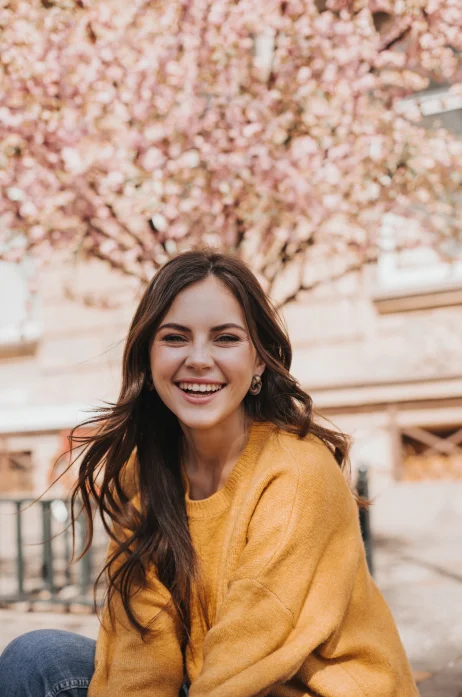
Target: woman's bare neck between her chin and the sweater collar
{"x": 209, "y": 455}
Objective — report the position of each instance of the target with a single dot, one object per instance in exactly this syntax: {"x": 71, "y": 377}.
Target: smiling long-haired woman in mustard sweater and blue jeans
{"x": 236, "y": 564}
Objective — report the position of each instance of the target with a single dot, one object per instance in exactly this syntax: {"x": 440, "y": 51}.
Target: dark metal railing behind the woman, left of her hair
{"x": 36, "y": 551}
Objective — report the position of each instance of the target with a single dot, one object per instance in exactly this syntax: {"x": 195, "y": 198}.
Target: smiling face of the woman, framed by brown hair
{"x": 202, "y": 357}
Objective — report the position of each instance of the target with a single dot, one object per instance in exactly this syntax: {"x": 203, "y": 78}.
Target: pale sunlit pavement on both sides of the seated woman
{"x": 418, "y": 567}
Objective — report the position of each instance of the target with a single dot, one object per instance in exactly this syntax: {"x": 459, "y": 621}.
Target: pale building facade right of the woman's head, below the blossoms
{"x": 381, "y": 355}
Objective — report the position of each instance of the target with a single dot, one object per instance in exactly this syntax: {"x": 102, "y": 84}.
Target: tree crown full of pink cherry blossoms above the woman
{"x": 277, "y": 129}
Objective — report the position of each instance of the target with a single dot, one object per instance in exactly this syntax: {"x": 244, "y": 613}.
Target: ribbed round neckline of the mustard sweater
{"x": 219, "y": 501}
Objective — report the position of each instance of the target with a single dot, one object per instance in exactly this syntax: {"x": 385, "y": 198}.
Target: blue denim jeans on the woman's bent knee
{"x": 48, "y": 663}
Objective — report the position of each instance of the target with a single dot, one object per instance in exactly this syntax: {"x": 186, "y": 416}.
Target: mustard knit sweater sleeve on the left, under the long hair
{"x": 125, "y": 664}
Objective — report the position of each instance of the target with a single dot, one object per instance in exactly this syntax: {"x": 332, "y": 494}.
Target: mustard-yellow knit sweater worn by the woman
{"x": 293, "y": 608}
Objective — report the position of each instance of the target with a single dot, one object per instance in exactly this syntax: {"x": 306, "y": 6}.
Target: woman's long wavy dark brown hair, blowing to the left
{"x": 156, "y": 532}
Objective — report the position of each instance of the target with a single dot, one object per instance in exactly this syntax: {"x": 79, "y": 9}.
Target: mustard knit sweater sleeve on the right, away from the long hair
{"x": 290, "y": 597}
